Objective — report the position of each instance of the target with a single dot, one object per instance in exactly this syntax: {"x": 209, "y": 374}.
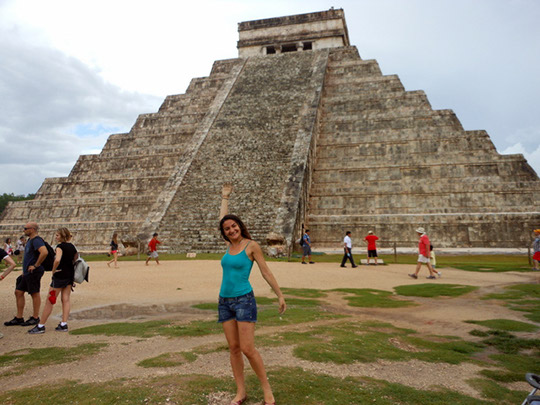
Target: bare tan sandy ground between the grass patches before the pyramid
{"x": 138, "y": 292}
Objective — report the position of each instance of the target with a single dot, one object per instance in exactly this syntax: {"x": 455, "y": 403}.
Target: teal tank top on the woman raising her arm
{"x": 236, "y": 271}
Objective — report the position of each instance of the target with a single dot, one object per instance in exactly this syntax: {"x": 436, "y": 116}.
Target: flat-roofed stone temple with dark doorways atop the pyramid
{"x": 301, "y": 32}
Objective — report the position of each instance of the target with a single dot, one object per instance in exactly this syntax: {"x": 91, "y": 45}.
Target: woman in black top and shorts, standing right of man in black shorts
{"x": 61, "y": 286}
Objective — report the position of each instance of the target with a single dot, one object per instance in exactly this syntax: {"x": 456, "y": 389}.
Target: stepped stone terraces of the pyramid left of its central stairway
{"x": 115, "y": 190}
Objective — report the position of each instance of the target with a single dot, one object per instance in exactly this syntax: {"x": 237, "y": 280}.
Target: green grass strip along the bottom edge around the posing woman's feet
{"x": 290, "y": 385}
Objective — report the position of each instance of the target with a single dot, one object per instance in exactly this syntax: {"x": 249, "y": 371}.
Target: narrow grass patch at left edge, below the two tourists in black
{"x": 21, "y": 360}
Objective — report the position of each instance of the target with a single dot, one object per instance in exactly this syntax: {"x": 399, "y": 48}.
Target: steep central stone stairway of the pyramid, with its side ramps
{"x": 259, "y": 142}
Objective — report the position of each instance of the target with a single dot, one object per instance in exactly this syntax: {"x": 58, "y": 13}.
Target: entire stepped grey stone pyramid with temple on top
{"x": 310, "y": 135}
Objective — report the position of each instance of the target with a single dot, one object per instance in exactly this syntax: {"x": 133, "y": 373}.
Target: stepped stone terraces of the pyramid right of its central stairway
{"x": 387, "y": 162}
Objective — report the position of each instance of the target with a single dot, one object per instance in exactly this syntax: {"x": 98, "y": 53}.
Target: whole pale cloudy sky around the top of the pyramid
{"x": 72, "y": 72}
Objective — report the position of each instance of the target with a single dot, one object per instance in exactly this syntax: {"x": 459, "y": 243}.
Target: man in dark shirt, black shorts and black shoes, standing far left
{"x": 35, "y": 253}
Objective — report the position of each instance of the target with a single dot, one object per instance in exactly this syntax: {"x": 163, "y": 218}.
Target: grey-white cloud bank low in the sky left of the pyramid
{"x": 47, "y": 97}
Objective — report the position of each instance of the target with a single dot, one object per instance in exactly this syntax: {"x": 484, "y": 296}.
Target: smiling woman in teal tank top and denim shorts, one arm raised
{"x": 237, "y": 306}
